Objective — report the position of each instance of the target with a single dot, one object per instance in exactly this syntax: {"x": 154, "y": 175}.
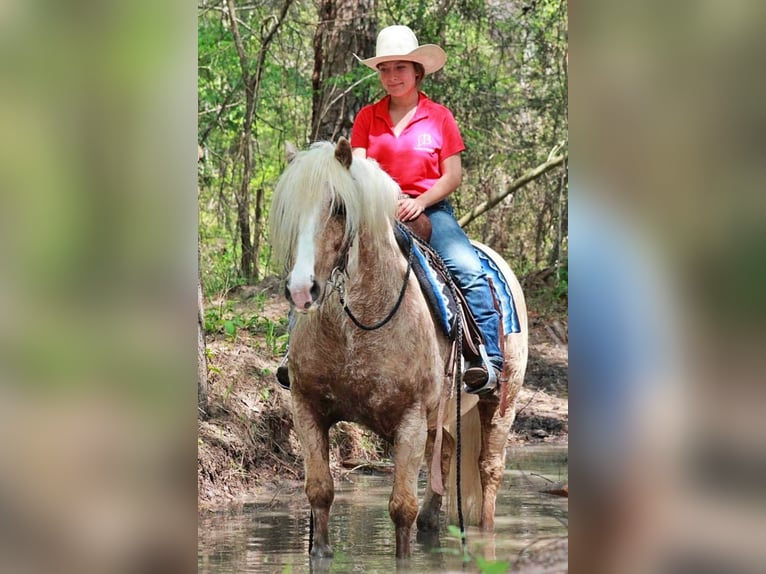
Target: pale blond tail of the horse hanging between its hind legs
{"x": 470, "y": 481}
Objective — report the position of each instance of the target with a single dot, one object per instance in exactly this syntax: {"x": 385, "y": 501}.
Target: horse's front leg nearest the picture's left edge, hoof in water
{"x": 319, "y": 486}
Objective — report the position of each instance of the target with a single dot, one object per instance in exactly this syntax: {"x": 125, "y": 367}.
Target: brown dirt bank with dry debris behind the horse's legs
{"x": 246, "y": 441}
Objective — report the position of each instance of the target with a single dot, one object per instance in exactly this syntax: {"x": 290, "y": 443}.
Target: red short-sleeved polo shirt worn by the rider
{"x": 413, "y": 158}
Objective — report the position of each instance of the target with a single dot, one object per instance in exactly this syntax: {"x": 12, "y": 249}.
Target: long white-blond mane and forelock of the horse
{"x": 316, "y": 180}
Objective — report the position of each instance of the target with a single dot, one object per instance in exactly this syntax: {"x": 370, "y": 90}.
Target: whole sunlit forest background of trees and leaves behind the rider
{"x": 277, "y": 71}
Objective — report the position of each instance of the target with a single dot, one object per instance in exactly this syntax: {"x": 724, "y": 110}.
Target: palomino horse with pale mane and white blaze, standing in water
{"x": 332, "y": 226}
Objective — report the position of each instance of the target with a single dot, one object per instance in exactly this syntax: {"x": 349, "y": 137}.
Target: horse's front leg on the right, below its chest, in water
{"x": 409, "y": 443}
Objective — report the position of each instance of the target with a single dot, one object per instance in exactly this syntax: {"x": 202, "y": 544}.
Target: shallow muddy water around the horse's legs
{"x": 271, "y": 533}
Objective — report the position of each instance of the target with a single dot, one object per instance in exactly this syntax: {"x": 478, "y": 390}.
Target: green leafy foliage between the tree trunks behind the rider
{"x": 505, "y": 81}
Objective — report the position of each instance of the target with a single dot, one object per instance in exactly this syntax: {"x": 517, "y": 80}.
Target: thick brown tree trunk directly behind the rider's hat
{"x": 346, "y": 27}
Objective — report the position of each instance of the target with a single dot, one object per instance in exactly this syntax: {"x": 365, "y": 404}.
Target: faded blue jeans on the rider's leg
{"x": 452, "y": 244}
